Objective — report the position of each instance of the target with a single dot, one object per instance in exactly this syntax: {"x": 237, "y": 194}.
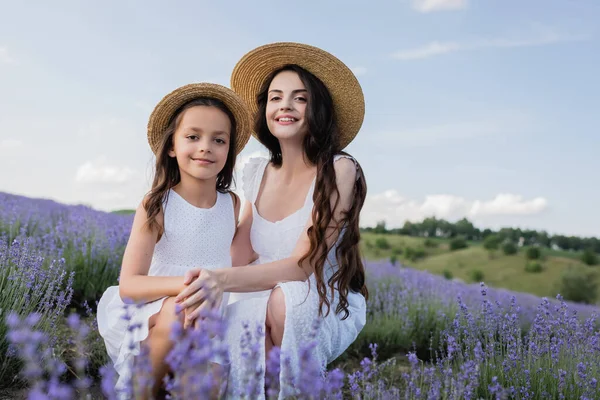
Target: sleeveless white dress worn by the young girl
{"x": 193, "y": 237}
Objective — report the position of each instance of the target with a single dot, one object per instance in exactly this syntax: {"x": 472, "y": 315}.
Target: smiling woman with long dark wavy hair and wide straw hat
{"x": 301, "y": 214}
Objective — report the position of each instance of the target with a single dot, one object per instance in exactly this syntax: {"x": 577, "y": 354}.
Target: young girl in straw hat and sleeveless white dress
{"x": 188, "y": 219}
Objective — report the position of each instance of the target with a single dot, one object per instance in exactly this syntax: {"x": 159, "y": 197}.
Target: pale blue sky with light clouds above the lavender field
{"x": 485, "y": 109}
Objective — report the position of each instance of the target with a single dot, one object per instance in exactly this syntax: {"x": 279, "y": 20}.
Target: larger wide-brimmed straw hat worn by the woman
{"x": 253, "y": 69}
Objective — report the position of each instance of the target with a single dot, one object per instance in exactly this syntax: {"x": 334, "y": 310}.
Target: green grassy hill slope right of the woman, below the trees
{"x": 499, "y": 270}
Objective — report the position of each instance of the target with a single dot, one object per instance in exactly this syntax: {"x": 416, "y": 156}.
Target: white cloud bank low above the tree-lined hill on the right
{"x": 395, "y": 209}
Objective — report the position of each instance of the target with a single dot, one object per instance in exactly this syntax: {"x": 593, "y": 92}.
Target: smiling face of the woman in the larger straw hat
{"x": 286, "y": 106}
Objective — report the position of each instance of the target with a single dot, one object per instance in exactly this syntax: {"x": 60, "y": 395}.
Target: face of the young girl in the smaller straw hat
{"x": 201, "y": 142}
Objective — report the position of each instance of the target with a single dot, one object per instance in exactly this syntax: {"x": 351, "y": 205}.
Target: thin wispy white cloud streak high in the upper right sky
{"x": 437, "y": 48}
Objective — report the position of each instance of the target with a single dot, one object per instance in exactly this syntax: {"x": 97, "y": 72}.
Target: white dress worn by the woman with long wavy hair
{"x": 274, "y": 241}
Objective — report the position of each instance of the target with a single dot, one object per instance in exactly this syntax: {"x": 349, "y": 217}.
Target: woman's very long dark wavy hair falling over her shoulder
{"x": 321, "y": 144}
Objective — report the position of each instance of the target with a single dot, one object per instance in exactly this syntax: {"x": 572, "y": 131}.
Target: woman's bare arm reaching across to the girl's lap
{"x": 266, "y": 276}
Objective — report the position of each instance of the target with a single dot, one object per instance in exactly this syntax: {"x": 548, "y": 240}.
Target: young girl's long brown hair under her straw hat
{"x": 167, "y": 170}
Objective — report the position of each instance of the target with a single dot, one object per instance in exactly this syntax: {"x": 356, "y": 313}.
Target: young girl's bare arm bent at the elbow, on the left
{"x": 134, "y": 283}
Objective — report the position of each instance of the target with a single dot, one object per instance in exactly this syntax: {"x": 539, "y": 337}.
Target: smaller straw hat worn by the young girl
{"x": 166, "y": 108}
